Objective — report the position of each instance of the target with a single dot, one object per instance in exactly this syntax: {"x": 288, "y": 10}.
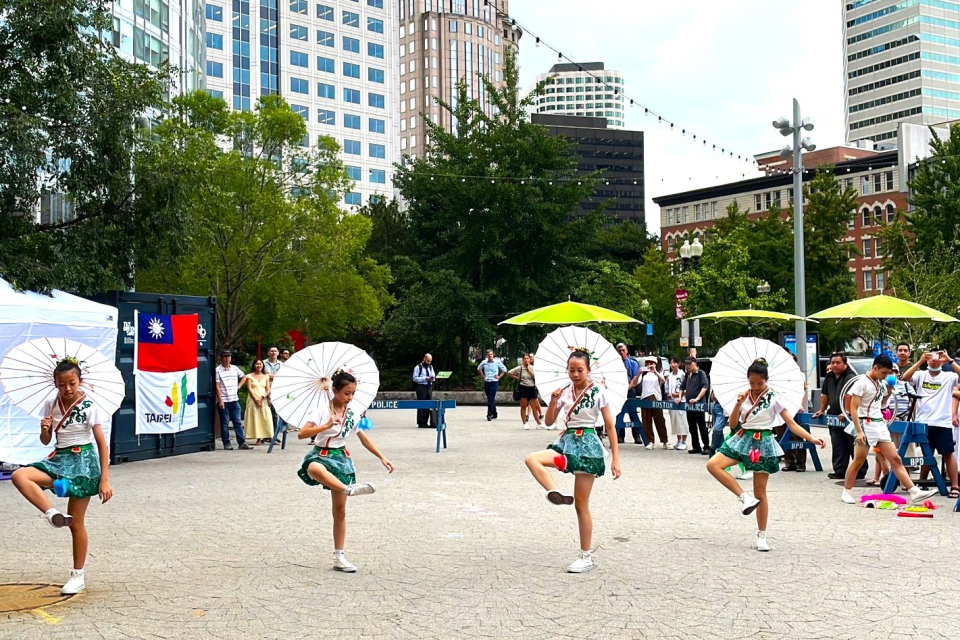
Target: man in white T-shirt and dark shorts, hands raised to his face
{"x": 936, "y": 408}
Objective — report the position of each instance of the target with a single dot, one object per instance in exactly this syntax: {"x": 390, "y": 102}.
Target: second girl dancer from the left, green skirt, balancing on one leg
{"x": 329, "y": 463}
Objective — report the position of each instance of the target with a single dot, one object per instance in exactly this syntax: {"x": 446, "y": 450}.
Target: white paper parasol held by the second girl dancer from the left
{"x": 303, "y": 381}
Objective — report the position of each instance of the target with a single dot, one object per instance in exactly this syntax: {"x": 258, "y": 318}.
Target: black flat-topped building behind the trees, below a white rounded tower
{"x": 617, "y": 154}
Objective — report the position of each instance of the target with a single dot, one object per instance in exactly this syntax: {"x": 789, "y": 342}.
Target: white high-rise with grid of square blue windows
{"x": 334, "y": 61}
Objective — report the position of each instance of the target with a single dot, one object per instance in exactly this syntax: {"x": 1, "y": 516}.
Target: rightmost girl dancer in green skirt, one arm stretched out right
{"x": 754, "y": 445}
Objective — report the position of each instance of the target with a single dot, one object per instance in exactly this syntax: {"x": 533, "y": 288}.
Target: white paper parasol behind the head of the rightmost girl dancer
{"x": 728, "y": 373}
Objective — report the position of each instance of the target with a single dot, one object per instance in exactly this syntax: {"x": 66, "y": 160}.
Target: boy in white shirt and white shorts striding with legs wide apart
{"x": 868, "y": 395}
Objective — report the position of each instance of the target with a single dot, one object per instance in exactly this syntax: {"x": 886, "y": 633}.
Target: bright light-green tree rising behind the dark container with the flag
{"x": 264, "y": 231}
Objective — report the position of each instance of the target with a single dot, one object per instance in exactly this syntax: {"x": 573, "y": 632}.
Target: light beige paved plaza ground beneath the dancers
{"x": 463, "y": 545}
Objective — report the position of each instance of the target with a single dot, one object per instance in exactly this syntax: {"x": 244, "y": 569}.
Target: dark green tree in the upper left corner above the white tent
{"x": 68, "y": 112}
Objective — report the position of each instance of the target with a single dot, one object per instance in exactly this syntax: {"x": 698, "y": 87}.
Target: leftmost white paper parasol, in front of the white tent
{"x": 26, "y": 373}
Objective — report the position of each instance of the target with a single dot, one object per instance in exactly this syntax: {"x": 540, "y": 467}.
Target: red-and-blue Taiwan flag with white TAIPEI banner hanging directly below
{"x": 165, "y": 366}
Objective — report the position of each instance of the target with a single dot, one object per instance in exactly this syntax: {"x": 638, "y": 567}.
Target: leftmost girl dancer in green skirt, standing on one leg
{"x": 76, "y": 422}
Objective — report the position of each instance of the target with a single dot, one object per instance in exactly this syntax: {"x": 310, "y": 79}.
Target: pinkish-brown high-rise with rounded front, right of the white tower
{"x": 441, "y": 43}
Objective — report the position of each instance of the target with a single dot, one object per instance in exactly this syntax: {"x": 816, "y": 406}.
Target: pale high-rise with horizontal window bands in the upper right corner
{"x": 901, "y": 64}
